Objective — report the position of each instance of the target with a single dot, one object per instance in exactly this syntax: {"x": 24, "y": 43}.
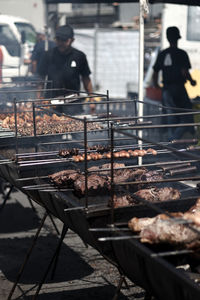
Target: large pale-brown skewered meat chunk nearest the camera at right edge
{"x": 164, "y": 229}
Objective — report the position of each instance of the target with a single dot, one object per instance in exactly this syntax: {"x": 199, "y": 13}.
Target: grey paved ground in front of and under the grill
{"x": 81, "y": 272}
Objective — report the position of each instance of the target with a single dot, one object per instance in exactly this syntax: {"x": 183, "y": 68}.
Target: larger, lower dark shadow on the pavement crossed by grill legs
{"x": 70, "y": 265}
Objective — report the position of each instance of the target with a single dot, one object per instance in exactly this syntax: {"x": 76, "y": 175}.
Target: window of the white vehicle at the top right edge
{"x": 193, "y": 24}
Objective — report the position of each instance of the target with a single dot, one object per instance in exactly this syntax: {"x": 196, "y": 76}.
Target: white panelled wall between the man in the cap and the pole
{"x": 114, "y": 63}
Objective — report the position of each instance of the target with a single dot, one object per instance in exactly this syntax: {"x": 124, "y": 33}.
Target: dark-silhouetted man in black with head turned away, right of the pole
{"x": 174, "y": 64}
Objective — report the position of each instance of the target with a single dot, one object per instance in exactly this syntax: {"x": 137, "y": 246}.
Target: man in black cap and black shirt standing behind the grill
{"x": 66, "y": 66}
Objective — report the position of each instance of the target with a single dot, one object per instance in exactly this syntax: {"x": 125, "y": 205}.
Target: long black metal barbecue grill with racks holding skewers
{"x": 82, "y": 213}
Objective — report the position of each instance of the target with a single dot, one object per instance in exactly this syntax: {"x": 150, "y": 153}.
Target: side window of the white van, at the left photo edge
{"x": 8, "y": 40}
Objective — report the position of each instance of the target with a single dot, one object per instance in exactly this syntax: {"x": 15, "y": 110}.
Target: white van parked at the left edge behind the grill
{"x": 17, "y": 39}
